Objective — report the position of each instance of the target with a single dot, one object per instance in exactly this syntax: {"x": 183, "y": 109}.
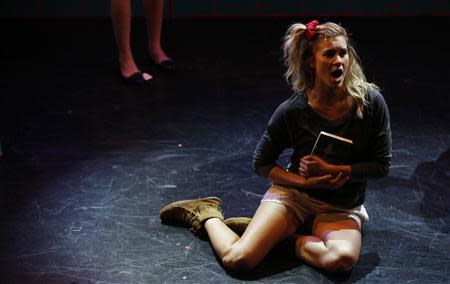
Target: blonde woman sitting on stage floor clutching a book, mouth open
{"x": 332, "y": 95}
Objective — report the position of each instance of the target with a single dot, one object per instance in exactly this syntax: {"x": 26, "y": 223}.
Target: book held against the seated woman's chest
{"x": 332, "y": 148}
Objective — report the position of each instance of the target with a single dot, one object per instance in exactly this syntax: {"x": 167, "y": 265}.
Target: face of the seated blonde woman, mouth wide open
{"x": 330, "y": 61}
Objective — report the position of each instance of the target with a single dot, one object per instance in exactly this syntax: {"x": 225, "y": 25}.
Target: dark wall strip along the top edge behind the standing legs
{"x": 228, "y": 8}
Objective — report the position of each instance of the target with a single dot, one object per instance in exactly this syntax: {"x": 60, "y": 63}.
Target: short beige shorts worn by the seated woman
{"x": 306, "y": 207}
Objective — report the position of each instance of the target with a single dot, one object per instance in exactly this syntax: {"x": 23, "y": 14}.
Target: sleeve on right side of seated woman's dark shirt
{"x": 380, "y": 147}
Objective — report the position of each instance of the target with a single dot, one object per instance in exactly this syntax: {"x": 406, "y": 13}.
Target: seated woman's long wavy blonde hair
{"x": 298, "y": 54}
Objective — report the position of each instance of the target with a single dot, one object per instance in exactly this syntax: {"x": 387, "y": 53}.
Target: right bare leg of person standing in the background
{"x": 154, "y": 16}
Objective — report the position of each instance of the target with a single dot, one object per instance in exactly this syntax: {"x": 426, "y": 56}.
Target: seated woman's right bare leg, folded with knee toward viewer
{"x": 335, "y": 244}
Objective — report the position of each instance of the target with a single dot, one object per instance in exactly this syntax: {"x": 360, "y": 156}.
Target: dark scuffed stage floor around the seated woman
{"x": 88, "y": 162}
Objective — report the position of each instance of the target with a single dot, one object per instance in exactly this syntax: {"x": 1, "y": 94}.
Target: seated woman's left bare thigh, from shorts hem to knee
{"x": 271, "y": 223}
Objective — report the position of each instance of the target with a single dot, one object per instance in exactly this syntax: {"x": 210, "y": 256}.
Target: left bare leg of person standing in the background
{"x": 121, "y": 21}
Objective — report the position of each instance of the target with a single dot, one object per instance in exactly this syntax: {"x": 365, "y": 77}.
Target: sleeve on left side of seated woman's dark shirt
{"x": 272, "y": 143}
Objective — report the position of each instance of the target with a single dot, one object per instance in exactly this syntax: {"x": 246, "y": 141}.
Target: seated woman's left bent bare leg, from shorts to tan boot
{"x": 271, "y": 223}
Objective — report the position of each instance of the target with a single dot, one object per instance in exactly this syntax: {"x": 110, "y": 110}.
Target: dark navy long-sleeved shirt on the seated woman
{"x": 294, "y": 124}
